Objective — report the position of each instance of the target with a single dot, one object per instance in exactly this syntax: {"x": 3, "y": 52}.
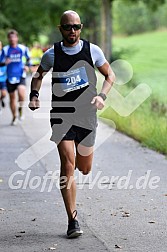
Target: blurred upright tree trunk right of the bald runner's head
{"x": 106, "y": 28}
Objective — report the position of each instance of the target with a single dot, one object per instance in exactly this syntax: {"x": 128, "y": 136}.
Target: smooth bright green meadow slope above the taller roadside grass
{"x": 149, "y": 59}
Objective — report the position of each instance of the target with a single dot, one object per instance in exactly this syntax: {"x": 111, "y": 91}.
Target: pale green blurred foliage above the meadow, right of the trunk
{"x": 138, "y": 16}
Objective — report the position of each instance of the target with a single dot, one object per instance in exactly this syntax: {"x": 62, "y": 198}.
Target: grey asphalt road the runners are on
{"x": 113, "y": 218}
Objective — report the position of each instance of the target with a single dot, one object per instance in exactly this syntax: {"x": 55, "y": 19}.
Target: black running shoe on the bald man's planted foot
{"x": 74, "y": 228}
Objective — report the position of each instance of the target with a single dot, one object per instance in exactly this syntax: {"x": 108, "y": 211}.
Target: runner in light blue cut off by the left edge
{"x": 2, "y": 81}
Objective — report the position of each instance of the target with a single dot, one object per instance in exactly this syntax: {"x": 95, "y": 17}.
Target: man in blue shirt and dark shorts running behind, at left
{"x": 12, "y": 55}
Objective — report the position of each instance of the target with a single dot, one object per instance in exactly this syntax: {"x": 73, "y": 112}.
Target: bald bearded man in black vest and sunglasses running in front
{"x": 74, "y": 102}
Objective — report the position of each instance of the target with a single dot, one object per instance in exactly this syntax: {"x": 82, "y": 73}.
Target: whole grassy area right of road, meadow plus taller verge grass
{"x": 148, "y": 123}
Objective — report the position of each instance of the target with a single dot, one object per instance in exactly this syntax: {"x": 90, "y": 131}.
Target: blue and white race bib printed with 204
{"x": 72, "y": 80}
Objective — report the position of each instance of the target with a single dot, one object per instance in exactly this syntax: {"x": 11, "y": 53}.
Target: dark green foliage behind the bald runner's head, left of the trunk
{"x": 32, "y": 18}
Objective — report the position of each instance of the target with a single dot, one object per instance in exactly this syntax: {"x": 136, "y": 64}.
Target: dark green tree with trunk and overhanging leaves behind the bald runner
{"x": 33, "y": 17}
